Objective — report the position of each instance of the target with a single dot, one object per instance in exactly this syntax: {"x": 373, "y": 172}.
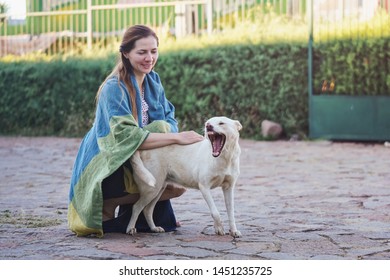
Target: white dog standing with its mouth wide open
{"x": 210, "y": 163}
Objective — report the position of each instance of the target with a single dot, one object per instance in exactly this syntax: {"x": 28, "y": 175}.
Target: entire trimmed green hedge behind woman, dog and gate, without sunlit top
{"x": 247, "y": 82}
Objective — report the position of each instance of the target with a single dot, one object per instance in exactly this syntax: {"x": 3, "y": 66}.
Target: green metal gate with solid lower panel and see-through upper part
{"x": 348, "y": 70}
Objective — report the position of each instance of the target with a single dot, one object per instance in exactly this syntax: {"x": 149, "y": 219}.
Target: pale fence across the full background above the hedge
{"x": 63, "y": 26}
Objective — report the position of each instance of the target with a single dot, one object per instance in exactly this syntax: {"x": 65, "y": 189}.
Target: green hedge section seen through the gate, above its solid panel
{"x": 358, "y": 67}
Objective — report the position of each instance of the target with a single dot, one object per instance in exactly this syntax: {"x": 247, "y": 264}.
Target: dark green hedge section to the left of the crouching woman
{"x": 49, "y": 98}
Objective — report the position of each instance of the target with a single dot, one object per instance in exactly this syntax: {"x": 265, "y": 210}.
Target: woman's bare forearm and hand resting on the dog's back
{"x": 157, "y": 140}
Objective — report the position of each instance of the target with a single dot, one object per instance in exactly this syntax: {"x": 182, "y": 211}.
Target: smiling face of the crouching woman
{"x": 144, "y": 55}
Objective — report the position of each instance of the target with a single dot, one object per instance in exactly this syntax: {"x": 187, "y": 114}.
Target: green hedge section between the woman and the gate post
{"x": 249, "y": 83}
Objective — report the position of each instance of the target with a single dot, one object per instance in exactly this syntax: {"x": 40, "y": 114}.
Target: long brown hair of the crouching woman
{"x": 123, "y": 68}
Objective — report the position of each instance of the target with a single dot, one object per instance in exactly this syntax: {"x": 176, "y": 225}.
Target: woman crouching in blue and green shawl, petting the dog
{"x": 132, "y": 113}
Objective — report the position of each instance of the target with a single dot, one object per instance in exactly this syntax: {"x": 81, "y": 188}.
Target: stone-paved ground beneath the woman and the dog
{"x": 294, "y": 200}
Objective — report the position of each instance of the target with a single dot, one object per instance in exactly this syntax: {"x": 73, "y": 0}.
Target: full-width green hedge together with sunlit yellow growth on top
{"x": 252, "y": 70}
